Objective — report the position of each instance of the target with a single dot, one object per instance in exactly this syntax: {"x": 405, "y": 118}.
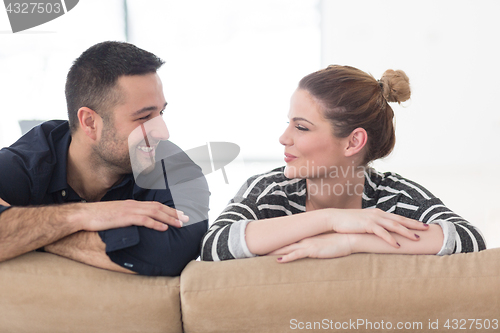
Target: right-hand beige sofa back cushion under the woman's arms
{"x": 361, "y": 292}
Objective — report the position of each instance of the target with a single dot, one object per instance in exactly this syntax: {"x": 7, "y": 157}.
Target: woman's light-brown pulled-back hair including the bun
{"x": 351, "y": 98}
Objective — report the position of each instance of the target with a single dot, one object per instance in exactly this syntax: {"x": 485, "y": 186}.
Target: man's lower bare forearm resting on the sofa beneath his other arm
{"x": 86, "y": 247}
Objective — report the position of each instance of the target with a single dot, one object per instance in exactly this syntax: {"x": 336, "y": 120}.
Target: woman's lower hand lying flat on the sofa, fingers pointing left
{"x": 332, "y": 245}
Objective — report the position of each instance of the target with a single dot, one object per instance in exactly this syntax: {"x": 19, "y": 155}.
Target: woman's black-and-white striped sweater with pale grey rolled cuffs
{"x": 271, "y": 195}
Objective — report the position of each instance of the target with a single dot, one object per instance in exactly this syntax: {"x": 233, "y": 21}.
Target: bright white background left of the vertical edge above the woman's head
{"x": 231, "y": 67}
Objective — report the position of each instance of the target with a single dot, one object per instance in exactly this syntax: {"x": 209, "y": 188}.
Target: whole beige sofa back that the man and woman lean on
{"x": 41, "y": 292}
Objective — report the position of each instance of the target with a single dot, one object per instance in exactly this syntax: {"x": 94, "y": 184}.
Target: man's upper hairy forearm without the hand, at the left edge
{"x": 26, "y": 229}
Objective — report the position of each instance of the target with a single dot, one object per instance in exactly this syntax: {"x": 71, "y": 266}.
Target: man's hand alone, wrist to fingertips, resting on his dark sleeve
{"x": 115, "y": 214}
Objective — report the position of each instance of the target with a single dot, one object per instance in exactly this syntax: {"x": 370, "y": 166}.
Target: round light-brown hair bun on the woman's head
{"x": 395, "y": 86}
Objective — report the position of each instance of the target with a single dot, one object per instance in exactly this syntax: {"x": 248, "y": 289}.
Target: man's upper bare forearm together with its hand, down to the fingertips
{"x": 24, "y": 229}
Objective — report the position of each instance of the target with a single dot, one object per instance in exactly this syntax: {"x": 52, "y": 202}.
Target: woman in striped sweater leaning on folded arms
{"x": 327, "y": 202}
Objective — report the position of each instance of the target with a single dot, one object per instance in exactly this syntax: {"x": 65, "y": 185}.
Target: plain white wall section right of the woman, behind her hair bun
{"x": 448, "y": 134}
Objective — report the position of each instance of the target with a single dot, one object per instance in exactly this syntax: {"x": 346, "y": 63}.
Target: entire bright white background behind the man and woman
{"x": 231, "y": 67}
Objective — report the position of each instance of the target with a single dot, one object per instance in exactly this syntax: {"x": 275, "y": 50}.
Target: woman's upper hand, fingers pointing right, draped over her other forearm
{"x": 373, "y": 221}
